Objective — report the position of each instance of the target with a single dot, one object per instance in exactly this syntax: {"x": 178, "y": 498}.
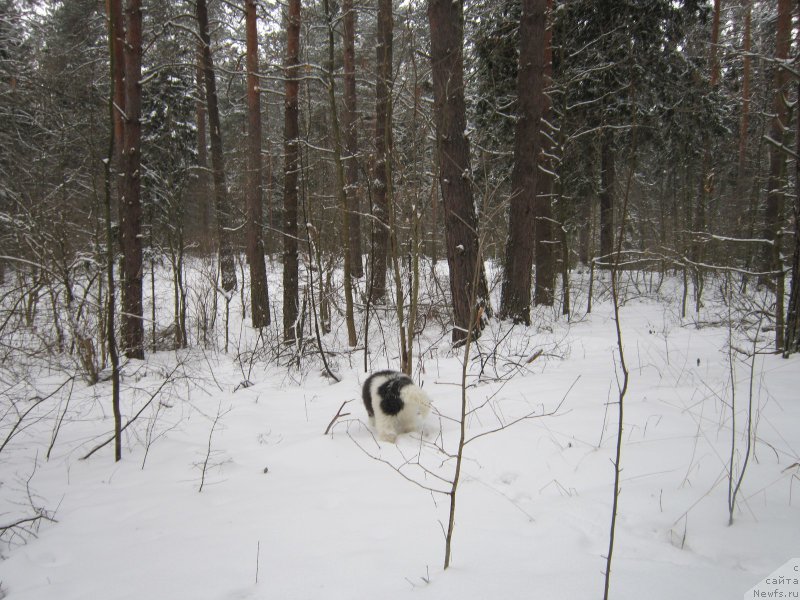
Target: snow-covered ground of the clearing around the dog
{"x": 287, "y": 512}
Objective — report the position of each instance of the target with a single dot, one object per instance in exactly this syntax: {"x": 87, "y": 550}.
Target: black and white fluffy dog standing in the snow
{"x": 394, "y": 404}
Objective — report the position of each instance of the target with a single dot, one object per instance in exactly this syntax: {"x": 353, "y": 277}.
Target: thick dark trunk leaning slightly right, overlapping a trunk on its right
{"x": 516, "y": 291}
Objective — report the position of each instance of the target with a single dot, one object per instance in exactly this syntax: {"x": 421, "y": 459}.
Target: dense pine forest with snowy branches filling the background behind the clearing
{"x": 350, "y": 147}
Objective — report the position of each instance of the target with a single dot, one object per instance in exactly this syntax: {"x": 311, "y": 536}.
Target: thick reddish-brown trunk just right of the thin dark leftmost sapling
{"x": 130, "y": 205}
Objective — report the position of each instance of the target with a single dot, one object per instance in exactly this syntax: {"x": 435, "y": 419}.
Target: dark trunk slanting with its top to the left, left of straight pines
{"x": 227, "y": 264}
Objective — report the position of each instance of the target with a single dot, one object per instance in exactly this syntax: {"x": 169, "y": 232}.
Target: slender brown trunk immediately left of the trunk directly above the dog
{"x": 350, "y": 126}
